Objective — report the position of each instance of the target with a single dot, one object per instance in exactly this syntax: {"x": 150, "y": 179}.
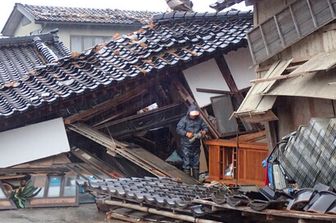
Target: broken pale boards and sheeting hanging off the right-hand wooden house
{"x": 314, "y": 78}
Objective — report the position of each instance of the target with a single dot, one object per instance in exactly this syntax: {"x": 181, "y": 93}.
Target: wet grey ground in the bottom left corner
{"x": 87, "y": 213}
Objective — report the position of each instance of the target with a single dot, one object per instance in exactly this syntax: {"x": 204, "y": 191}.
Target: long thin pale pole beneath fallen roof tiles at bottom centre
{"x": 157, "y": 212}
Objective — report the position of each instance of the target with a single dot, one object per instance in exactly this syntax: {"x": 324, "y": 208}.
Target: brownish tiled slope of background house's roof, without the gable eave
{"x": 87, "y": 15}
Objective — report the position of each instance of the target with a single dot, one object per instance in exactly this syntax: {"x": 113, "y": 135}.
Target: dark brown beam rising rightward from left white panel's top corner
{"x": 106, "y": 105}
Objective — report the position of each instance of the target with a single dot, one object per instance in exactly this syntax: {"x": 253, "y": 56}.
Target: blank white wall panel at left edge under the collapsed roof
{"x": 33, "y": 142}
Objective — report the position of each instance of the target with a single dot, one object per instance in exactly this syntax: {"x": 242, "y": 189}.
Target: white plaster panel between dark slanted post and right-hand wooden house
{"x": 240, "y": 64}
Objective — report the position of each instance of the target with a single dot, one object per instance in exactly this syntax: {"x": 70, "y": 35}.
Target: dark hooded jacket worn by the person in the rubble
{"x": 186, "y": 124}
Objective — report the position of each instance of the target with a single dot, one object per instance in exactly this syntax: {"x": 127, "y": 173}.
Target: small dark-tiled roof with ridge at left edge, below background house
{"x": 21, "y": 55}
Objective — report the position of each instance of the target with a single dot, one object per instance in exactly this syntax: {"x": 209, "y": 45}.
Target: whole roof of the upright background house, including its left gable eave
{"x": 74, "y": 15}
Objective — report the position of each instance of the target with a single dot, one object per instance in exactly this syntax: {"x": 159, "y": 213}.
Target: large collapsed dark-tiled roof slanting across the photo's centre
{"x": 173, "y": 40}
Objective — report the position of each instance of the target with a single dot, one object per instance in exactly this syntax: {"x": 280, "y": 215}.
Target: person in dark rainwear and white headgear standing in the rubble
{"x": 188, "y": 127}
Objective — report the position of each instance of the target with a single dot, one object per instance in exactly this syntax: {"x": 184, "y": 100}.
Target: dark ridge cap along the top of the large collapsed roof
{"x": 179, "y": 15}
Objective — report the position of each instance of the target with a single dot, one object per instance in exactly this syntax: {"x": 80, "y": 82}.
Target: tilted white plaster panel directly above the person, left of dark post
{"x": 205, "y": 75}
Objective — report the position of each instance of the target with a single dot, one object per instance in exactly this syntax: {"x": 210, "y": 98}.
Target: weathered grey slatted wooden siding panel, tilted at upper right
{"x": 293, "y": 23}
